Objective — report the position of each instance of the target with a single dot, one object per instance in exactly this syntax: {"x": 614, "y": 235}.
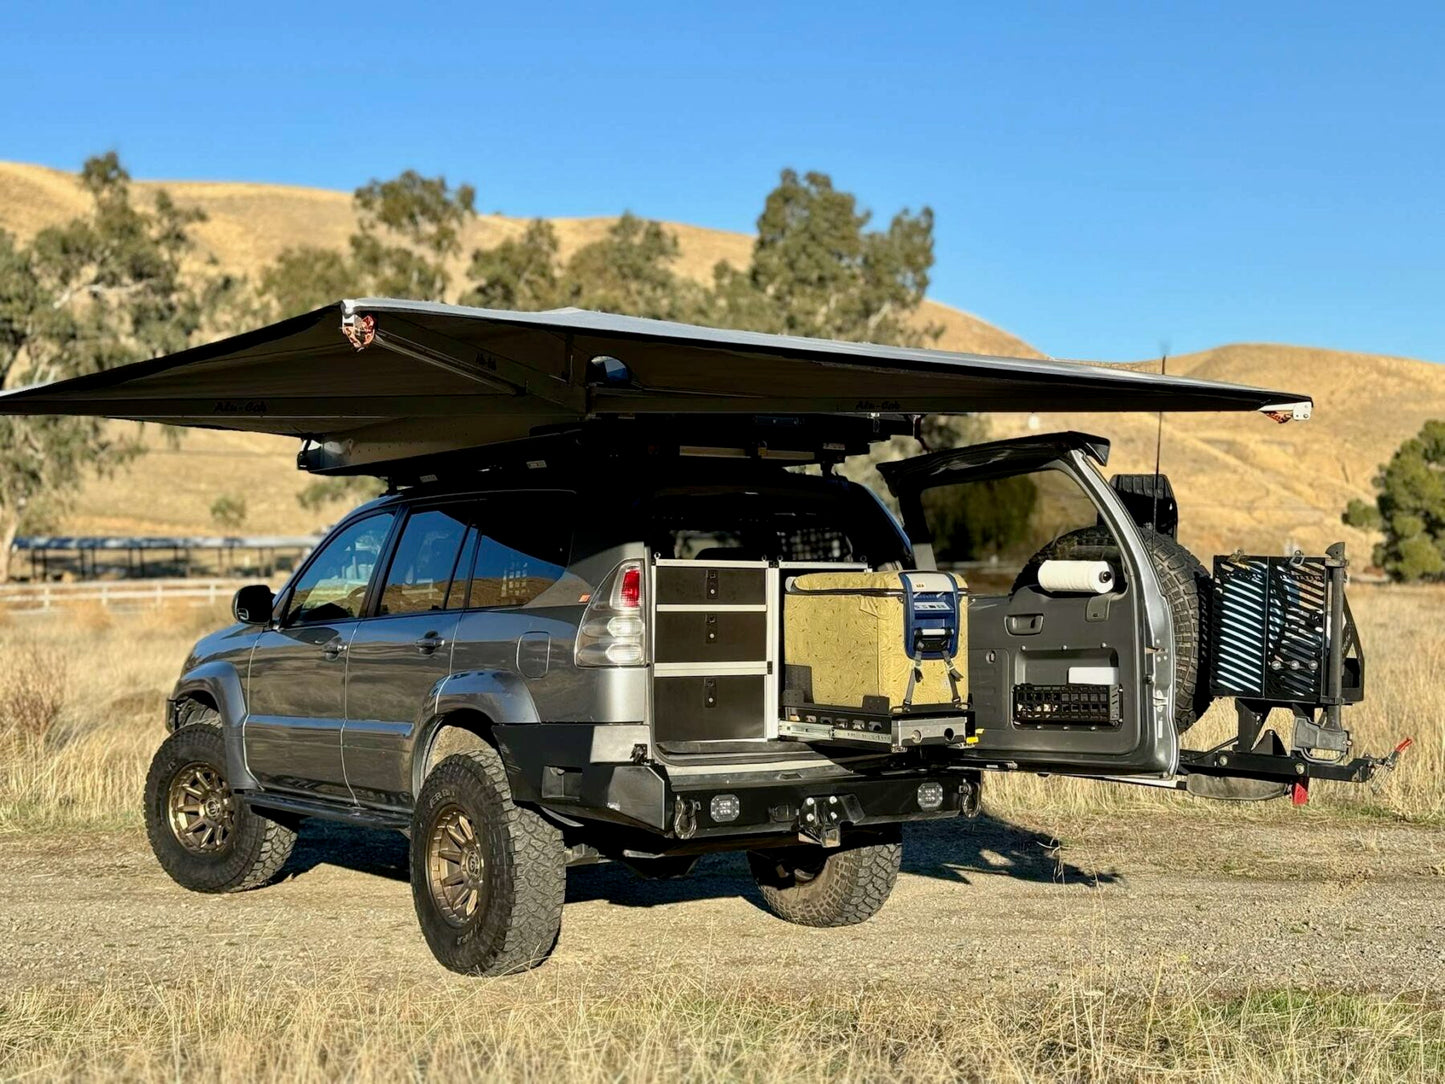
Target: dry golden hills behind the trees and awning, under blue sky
{"x": 1242, "y": 481}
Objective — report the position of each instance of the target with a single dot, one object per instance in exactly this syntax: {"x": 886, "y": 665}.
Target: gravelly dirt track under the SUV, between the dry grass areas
{"x": 1152, "y": 903}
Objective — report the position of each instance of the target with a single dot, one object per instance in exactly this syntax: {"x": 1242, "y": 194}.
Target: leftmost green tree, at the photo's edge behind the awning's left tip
{"x": 95, "y": 293}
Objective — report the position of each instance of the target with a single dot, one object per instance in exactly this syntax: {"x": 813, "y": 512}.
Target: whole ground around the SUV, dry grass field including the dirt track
{"x": 1079, "y": 932}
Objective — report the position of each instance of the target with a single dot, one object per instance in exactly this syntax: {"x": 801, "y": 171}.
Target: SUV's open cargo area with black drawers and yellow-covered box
{"x": 820, "y": 654}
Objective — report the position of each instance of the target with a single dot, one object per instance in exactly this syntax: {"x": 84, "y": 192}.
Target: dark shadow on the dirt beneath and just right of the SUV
{"x": 953, "y": 851}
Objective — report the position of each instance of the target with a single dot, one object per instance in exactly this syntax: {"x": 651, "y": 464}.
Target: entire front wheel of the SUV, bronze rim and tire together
{"x": 200, "y": 832}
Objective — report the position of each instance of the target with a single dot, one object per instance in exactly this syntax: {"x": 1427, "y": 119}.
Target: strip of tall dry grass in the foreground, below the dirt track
{"x": 233, "y": 1024}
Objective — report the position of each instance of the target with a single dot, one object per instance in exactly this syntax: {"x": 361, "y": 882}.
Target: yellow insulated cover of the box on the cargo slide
{"x": 853, "y": 644}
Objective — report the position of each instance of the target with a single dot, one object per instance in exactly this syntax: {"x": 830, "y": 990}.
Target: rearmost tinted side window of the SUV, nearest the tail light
{"x": 521, "y": 549}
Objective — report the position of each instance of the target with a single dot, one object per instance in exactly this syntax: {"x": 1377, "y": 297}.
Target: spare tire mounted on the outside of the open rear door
{"x": 1189, "y": 593}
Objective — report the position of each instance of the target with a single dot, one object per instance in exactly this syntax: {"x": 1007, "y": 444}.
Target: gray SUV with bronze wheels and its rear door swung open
{"x": 580, "y": 654}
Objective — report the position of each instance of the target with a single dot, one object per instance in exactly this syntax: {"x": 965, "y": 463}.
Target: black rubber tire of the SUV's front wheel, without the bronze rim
{"x": 256, "y": 846}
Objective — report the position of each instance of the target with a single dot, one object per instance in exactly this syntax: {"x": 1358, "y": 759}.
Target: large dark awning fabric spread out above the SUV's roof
{"x": 384, "y": 379}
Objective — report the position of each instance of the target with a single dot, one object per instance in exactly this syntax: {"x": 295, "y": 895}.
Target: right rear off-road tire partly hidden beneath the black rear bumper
{"x": 829, "y": 888}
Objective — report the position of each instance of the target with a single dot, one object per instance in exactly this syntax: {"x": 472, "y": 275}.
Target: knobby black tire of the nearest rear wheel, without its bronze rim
{"x": 519, "y": 916}
